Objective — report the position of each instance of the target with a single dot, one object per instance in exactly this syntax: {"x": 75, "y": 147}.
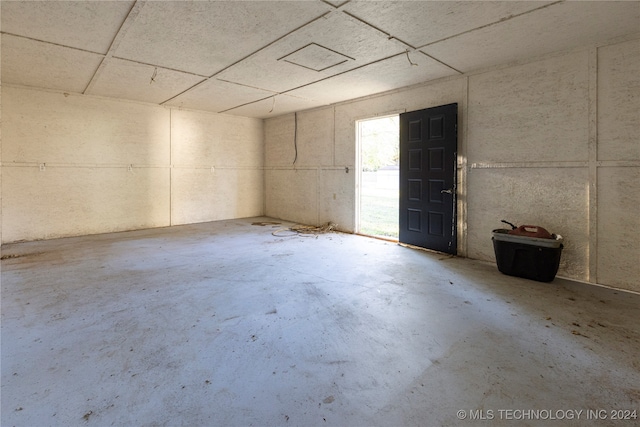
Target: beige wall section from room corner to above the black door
{"x": 320, "y": 186}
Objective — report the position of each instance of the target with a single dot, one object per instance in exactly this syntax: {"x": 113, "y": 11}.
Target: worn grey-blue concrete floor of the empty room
{"x": 226, "y": 324}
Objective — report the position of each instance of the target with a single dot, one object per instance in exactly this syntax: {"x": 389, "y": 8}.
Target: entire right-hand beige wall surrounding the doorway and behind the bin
{"x": 552, "y": 142}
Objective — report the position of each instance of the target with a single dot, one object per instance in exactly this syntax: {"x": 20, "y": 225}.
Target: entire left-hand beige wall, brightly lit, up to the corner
{"x": 75, "y": 165}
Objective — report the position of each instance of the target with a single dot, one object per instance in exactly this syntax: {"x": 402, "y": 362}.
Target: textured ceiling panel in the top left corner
{"x": 87, "y": 25}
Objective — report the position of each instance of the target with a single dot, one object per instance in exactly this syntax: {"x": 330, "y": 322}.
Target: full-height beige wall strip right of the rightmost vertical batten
{"x": 618, "y": 165}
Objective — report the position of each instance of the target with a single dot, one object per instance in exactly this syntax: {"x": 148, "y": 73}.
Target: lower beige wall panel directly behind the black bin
{"x": 553, "y": 198}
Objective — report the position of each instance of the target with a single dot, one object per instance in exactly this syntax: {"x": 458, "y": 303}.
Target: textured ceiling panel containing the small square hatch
{"x": 349, "y": 39}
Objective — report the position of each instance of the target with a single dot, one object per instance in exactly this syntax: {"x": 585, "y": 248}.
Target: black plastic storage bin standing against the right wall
{"x": 527, "y": 257}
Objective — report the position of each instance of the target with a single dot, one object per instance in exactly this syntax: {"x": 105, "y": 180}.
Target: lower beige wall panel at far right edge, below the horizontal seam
{"x": 618, "y": 225}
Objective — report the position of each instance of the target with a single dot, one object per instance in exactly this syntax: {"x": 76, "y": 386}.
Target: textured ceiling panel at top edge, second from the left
{"x": 205, "y": 37}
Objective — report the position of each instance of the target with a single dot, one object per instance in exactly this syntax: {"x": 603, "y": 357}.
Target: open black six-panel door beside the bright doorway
{"x": 428, "y": 155}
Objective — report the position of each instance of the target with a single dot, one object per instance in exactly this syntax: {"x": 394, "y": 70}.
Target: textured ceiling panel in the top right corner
{"x": 555, "y": 28}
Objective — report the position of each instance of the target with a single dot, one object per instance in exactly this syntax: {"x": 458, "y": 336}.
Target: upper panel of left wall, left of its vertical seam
{"x": 46, "y": 127}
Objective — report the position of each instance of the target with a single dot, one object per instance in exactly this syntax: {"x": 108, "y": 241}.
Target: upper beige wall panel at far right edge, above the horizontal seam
{"x": 619, "y": 101}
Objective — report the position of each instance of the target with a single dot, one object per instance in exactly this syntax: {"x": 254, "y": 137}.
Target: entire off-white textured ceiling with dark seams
{"x": 265, "y": 58}
